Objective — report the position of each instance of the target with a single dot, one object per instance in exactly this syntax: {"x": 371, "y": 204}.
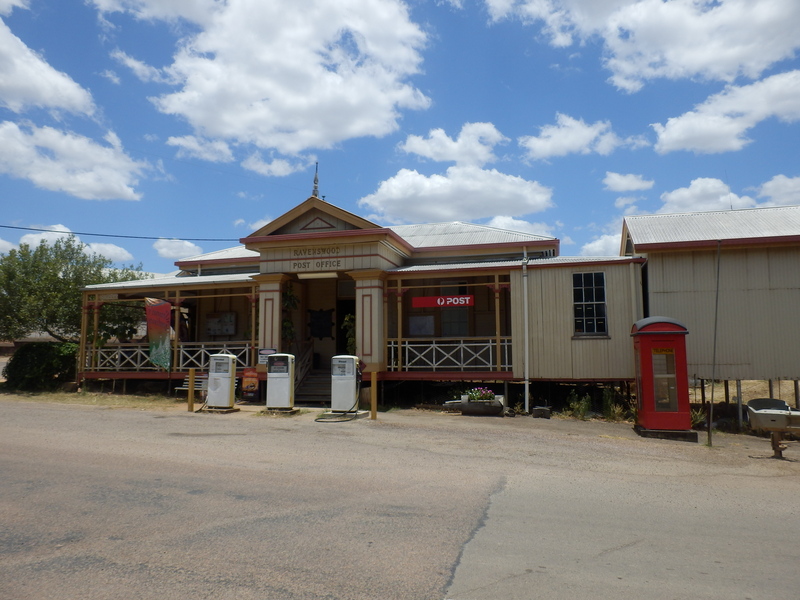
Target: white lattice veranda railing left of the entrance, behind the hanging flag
{"x": 136, "y": 357}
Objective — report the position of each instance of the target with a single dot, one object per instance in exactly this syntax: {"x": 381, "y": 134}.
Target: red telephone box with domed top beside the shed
{"x": 662, "y": 383}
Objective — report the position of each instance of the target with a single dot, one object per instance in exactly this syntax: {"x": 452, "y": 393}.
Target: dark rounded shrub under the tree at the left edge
{"x": 41, "y": 366}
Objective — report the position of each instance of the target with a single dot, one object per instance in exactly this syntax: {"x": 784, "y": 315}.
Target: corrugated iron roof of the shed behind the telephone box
{"x": 744, "y": 224}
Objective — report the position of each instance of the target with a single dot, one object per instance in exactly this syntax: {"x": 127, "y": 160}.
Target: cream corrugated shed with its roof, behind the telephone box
{"x": 752, "y": 257}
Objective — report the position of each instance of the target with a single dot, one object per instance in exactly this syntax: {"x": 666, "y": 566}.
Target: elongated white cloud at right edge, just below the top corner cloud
{"x": 721, "y": 122}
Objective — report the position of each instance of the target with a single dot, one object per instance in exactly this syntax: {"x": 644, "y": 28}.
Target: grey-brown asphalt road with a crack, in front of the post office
{"x": 124, "y": 504}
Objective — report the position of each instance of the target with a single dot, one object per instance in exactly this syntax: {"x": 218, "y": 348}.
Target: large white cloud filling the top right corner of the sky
{"x": 649, "y": 39}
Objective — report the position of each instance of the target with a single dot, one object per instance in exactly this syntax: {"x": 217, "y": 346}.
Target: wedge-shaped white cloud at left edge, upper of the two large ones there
{"x": 27, "y": 81}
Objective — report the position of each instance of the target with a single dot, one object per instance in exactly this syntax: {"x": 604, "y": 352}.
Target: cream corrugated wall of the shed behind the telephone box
{"x": 758, "y": 335}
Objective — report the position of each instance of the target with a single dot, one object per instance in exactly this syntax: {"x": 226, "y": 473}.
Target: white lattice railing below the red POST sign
{"x": 450, "y": 354}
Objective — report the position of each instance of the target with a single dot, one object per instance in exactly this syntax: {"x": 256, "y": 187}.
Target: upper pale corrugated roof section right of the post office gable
{"x": 458, "y": 233}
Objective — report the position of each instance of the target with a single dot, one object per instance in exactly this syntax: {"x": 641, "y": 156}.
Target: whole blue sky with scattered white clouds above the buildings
{"x": 189, "y": 121}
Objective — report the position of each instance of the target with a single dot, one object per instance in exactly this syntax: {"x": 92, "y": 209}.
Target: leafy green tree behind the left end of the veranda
{"x": 40, "y": 291}
